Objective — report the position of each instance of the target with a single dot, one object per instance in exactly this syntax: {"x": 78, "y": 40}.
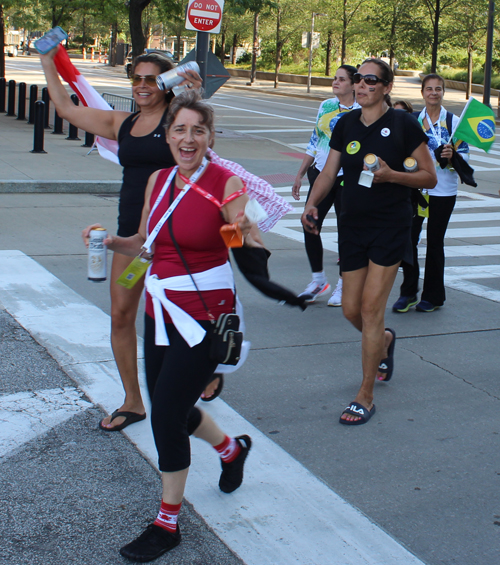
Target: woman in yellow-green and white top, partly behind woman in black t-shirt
{"x": 317, "y": 150}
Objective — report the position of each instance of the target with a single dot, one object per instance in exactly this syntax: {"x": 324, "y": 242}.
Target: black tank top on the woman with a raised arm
{"x": 140, "y": 157}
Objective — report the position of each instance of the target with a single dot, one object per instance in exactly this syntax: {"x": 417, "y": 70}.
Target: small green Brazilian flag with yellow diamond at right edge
{"x": 476, "y": 125}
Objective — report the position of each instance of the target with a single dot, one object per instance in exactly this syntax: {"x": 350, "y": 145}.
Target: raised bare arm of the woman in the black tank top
{"x": 99, "y": 122}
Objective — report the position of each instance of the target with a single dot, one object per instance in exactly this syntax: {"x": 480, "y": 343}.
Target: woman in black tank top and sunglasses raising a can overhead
{"x": 142, "y": 151}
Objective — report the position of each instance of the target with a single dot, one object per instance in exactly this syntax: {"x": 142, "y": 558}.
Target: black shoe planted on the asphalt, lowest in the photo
{"x": 153, "y": 542}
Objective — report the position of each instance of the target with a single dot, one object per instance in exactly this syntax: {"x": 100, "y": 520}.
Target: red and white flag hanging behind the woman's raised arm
{"x": 88, "y": 96}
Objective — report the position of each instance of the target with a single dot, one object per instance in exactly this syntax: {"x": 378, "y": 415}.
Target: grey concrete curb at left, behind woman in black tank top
{"x": 60, "y": 186}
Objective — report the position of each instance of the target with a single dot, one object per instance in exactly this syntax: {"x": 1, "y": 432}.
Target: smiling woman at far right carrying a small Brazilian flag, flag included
{"x": 449, "y": 137}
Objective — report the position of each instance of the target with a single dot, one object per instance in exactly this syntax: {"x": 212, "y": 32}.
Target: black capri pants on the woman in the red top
{"x": 176, "y": 376}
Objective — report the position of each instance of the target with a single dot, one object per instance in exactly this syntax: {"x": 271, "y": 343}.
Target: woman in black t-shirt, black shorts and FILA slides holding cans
{"x": 375, "y": 222}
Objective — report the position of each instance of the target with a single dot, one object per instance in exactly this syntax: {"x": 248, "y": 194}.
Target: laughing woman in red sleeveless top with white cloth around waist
{"x": 177, "y": 373}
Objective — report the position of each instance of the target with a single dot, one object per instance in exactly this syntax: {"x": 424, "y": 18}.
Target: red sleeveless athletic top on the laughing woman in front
{"x": 196, "y": 223}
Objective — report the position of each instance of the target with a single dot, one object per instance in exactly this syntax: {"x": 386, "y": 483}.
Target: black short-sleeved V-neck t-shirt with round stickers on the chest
{"x": 393, "y": 137}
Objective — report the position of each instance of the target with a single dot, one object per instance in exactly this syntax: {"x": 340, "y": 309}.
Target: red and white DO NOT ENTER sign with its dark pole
{"x": 204, "y": 16}
